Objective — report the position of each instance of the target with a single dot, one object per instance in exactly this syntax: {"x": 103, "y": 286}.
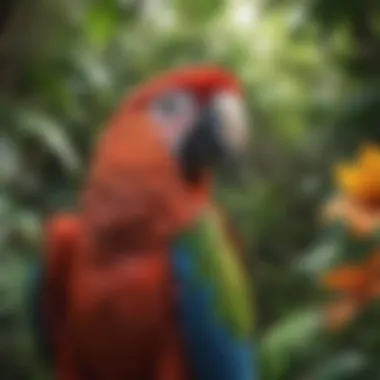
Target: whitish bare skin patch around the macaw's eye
{"x": 175, "y": 114}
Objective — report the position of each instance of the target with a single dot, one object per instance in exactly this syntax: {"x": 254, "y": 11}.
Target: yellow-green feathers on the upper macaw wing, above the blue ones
{"x": 218, "y": 264}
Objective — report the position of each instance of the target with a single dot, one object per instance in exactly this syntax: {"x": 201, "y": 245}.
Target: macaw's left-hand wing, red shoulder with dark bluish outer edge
{"x": 46, "y": 284}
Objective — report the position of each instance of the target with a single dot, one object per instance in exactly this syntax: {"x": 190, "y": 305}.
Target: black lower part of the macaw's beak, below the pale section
{"x": 202, "y": 148}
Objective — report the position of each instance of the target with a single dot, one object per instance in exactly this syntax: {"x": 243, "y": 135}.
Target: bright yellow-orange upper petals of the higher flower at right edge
{"x": 360, "y": 181}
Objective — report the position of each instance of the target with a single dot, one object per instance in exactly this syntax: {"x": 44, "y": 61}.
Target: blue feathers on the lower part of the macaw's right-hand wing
{"x": 215, "y": 353}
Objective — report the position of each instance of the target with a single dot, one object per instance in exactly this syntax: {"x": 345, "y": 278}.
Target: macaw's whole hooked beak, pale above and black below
{"x": 220, "y": 133}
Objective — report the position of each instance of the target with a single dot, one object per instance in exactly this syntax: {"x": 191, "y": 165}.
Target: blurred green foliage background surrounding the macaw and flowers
{"x": 311, "y": 70}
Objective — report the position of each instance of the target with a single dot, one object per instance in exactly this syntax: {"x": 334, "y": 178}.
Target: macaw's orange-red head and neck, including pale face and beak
{"x": 159, "y": 150}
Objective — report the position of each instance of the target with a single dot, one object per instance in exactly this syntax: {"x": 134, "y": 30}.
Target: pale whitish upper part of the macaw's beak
{"x": 233, "y": 119}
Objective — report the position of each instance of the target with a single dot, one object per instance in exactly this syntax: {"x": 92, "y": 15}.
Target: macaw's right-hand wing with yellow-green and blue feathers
{"x": 214, "y": 303}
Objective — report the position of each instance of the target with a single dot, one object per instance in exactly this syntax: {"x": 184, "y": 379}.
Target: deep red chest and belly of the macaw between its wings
{"x": 120, "y": 310}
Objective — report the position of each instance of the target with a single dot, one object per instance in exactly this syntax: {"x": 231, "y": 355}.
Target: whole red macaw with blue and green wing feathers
{"x": 144, "y": 281}
